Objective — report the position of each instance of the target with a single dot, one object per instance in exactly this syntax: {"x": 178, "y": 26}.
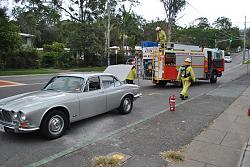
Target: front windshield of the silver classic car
{"x": 65, "y": 83}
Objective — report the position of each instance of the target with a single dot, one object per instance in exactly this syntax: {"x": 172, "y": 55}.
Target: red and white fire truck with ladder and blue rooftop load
{"x": 161, "y": 65}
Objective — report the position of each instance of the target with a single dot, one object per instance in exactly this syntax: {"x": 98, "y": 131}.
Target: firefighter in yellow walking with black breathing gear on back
{"x": 186, "y": 76}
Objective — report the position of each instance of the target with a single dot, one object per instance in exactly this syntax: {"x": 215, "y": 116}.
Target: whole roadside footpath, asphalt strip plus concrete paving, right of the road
{"x": 223, "y": 143}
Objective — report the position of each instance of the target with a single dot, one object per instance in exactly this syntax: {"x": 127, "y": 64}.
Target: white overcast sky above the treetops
{"x": 211, "y": 9}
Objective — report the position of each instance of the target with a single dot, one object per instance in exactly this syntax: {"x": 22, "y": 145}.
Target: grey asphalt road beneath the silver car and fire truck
{"x": 24, "y": 149}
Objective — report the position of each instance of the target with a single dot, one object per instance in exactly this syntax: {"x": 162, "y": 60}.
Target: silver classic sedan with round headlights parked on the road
{"x": 66, "y": 99}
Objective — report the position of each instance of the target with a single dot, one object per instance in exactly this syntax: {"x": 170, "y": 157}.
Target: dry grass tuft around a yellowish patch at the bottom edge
{"x": 106, "y": 161}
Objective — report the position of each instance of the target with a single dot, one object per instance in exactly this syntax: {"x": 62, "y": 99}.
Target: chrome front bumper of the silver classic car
{"x": 15, "y": 128}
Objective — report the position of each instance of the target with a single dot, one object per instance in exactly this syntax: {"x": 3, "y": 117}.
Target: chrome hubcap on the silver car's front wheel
{"x": 56, "y": 124}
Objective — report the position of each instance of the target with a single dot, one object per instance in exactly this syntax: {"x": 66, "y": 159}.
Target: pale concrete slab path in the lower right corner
{"x": 225, "y": 143}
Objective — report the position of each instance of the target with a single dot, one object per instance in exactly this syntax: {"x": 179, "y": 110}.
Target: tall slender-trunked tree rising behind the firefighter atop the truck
{"x": 172, "y": 8}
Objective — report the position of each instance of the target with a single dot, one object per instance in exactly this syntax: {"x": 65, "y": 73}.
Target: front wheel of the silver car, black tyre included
{"x": 54, "y": 124}
